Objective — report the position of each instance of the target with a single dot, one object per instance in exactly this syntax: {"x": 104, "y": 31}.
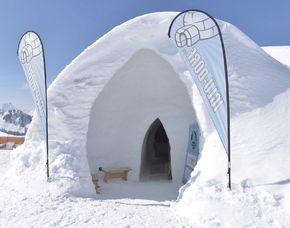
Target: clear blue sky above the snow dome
{"x": 67, "y": 27}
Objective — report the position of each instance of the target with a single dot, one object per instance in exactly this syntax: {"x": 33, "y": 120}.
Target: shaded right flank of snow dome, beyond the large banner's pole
{"x": 255, "y": 77}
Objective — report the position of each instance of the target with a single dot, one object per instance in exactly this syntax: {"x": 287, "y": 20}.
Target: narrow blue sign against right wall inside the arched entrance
{"x": 192, "y": 151}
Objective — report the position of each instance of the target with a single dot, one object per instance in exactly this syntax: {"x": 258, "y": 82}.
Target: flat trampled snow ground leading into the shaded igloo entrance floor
{"x": 118, "y": 205}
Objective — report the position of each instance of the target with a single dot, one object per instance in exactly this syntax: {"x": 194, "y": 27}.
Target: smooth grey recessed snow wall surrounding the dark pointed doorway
{"x": 144, "y": 89}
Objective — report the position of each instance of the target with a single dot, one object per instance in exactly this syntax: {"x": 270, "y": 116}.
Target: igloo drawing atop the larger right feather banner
{"x": 196, "y": 26}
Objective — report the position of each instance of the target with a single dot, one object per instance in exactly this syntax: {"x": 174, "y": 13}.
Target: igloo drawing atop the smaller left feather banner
{"x": 32, "y": 48}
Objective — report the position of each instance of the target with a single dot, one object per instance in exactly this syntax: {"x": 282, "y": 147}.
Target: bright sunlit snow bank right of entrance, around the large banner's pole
{"x": 260, "y": 170}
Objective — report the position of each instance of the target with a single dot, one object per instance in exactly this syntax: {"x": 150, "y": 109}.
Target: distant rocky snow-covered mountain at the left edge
{"x": 13, "y": 121}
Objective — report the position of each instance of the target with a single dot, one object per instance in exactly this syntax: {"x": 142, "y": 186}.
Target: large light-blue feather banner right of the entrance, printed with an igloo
{"x": 198, "y": 40}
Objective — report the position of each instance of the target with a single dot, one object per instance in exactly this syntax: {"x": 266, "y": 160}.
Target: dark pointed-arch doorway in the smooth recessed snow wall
{"x": 156, "y": 161}
